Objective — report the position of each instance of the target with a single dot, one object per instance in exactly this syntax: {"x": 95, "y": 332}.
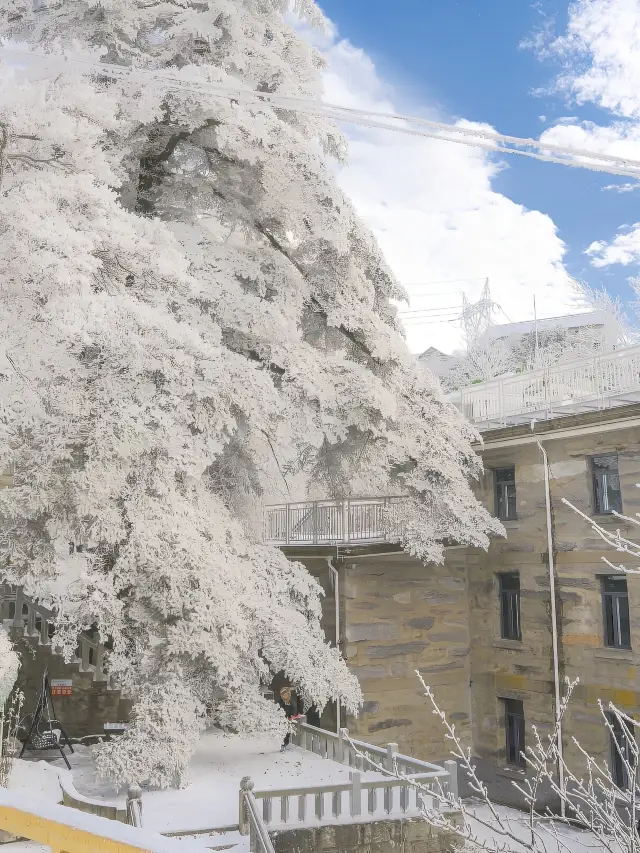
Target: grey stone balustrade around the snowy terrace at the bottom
{"x": 383, "y": 797}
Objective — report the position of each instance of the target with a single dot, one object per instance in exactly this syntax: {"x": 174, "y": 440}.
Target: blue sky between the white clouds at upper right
{"x": 464, "y": 59}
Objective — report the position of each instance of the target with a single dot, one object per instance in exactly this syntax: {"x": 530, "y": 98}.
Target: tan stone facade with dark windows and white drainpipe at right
{"x": 524, "y": 670}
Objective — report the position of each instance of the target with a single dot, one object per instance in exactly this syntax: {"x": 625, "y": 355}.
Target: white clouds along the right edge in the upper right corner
{"x": 601, "y": 56}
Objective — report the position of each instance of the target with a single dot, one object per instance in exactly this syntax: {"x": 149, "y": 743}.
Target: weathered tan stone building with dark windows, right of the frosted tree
{"x": 478, "y": 628}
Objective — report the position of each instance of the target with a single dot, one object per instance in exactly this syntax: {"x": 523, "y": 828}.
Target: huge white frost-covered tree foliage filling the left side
{"x": 186, "y": 295}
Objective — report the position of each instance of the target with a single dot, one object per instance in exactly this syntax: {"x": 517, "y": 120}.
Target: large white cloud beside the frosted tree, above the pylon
{"x": 436, "y": 216}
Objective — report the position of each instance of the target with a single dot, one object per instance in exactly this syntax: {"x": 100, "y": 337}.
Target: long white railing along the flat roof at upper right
{"x": 599, "y": 383}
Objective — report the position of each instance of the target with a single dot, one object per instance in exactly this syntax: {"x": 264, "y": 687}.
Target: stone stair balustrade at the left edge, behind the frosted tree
{"x": 34, "y": 620}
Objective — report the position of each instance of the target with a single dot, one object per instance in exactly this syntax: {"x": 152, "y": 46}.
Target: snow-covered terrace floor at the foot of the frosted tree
{"x": 210, "y": 798}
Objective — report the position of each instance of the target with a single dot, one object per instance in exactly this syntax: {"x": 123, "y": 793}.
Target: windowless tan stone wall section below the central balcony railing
{"x": 401, "y": 616}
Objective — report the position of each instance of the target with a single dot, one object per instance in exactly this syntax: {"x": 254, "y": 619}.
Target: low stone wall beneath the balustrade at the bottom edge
{"x": 388, "y": 836}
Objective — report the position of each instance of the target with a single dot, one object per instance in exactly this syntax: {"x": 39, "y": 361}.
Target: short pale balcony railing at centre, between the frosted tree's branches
{"x": 325, "y": 522}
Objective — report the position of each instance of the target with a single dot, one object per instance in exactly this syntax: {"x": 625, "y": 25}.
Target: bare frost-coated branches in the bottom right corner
{"x": 589, "y": 793}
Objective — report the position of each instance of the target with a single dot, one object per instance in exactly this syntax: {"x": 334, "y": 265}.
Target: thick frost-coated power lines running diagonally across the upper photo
{"x": 475, "y": 137}
